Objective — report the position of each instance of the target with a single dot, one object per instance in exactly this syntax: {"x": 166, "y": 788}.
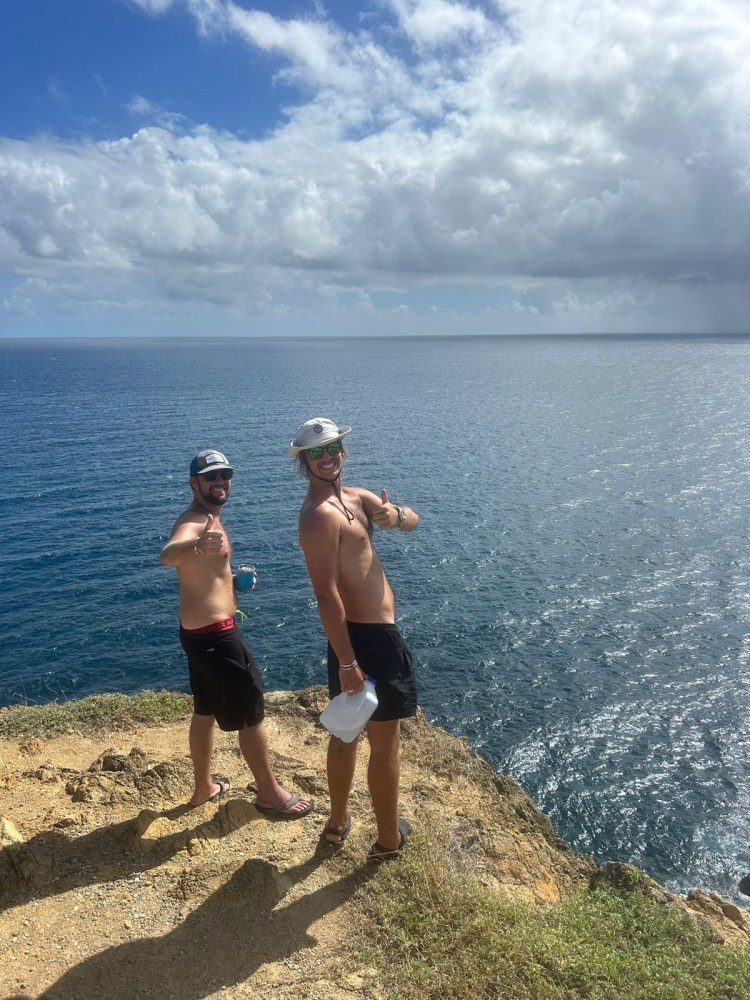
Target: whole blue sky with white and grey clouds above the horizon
{"x": 393, "y": 167}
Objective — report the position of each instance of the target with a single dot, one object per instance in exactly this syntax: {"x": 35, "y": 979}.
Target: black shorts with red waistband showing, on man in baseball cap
{"x": 223, "y": 678}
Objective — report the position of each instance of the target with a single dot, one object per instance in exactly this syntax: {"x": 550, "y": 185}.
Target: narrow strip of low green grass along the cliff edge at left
{"x": 94, "y": 714}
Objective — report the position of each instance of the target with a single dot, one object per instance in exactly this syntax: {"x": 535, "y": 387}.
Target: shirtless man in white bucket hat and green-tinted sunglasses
{"x": 357, "y": 609}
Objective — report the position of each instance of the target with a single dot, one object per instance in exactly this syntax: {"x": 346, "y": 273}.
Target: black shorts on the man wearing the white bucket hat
{"x": 383, "y": 655}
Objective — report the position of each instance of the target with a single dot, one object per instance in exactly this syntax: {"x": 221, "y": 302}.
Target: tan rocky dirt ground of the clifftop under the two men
{"x": 111, "y": 887}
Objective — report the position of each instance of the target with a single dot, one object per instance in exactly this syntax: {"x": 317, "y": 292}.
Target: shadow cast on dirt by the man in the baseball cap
{"x": 52, "y": 863}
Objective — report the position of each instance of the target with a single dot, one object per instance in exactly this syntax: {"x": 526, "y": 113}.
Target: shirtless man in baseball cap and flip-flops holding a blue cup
{"x": 225, "y": 683}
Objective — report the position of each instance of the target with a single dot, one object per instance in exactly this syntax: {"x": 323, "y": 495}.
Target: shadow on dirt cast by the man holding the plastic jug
{"x": 221, "y": 943}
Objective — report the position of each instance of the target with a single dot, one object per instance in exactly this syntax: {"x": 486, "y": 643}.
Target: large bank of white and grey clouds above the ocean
{"x": 597, "y": 153}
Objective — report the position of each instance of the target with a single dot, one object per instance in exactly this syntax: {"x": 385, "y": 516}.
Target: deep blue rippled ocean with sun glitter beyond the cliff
{"x": 576, "y": 597}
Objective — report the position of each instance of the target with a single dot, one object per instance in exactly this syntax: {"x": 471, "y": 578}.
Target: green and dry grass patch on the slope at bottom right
{"x": 433, "y": 932}
